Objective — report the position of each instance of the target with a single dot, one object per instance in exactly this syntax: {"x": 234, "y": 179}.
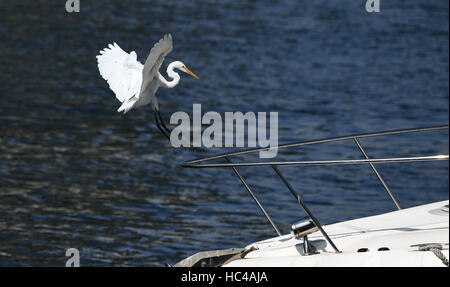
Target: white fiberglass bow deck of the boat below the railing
{"x": 399, "y": 231}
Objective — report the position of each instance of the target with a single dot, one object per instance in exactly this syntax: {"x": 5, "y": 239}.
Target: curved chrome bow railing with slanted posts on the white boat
{"x": 200, "y": 163}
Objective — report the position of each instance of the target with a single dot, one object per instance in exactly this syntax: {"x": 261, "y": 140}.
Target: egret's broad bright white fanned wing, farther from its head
{"x": 121, "y": 70}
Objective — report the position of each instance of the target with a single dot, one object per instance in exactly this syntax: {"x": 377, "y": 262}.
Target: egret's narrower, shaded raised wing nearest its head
{"x": 154, "y": 60}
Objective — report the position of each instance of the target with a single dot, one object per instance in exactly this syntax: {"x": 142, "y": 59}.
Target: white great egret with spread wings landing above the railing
{"x": 135, "y": 84}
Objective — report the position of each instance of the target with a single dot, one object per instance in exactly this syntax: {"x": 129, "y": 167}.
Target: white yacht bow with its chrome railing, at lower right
{"x": 416, "y": 236}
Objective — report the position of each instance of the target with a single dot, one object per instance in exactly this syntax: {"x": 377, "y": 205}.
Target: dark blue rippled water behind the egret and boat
{"x": 75, "y": 173}
